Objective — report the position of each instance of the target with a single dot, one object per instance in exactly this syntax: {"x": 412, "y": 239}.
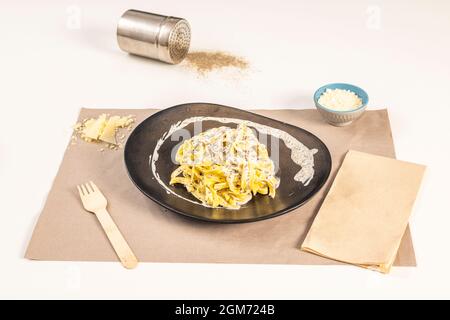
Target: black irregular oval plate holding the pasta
{"x": 289, "y": 195}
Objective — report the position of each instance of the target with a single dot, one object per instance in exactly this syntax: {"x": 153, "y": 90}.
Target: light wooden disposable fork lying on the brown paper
{"x": 94, "y": 201}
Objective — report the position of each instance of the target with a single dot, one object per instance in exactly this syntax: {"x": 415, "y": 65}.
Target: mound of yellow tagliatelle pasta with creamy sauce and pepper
{"x": 225, "y": 167}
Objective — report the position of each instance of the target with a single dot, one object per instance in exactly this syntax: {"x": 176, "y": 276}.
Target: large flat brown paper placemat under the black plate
{"x": 65, "y": 231}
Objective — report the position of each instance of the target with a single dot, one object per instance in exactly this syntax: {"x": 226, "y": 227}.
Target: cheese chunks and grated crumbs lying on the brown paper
{"x": 103, "y": 129}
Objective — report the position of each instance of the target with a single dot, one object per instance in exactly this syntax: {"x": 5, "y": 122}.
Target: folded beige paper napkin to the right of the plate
{"x": 365, "y": 213}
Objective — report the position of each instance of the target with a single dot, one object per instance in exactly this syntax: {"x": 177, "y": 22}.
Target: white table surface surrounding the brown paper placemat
{"x": 59, "y": 56}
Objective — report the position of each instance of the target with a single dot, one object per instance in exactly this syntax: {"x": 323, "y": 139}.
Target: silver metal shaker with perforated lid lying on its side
{"x": 154, "y": 36}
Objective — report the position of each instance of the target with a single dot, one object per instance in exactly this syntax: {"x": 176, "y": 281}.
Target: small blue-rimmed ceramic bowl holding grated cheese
{"x": 341, "y": 118}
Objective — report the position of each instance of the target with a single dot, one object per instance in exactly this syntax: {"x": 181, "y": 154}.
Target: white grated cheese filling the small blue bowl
{"x": 340, "y": 100}
